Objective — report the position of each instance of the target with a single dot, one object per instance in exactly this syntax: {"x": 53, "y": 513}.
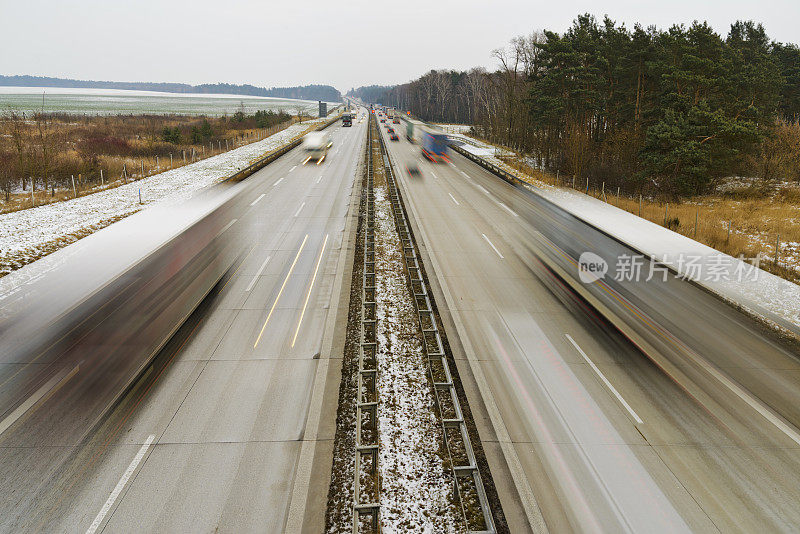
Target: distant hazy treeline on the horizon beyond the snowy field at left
{"x": 325, "y": 93}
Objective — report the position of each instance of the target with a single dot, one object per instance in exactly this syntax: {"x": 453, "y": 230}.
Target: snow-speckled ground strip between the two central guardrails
{"x": 415, "y": 493}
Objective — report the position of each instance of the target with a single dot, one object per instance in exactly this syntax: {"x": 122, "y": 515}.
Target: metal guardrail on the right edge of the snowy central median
{"x": 469, "y": 489}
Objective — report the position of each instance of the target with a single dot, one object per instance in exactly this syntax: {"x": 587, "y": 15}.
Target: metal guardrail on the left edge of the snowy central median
{"x": 366, "y": 483}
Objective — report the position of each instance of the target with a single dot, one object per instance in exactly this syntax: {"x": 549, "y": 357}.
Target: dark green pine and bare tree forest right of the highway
{"x": 664, "y": 111}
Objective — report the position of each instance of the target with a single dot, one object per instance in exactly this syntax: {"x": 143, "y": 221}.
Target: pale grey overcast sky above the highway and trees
{"x": 296, "y": 42}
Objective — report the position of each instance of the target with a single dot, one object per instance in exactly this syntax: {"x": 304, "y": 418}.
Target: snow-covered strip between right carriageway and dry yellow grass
{"x": 761, "y": 293}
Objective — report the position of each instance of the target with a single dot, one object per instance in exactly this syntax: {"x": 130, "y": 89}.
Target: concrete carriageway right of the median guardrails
{"x": 582, "y": 431}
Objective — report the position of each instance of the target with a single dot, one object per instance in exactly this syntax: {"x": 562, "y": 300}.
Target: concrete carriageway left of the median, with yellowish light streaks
{"x": 231, "y": 427}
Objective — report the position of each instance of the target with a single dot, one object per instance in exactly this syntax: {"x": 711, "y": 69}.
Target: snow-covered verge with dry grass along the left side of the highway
{"x": 27, "y": 235}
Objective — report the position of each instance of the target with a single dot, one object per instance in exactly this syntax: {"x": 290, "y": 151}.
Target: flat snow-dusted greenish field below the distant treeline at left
{"x": 124, "y": 102}
